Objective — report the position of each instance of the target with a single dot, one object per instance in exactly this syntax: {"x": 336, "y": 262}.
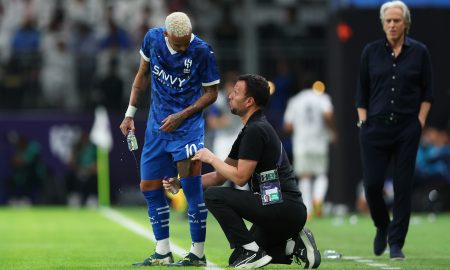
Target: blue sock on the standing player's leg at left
{"x": 158, "y": 212}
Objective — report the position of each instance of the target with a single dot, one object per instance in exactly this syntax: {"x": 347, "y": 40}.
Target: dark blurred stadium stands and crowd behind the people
{"x": 59, "y": 60}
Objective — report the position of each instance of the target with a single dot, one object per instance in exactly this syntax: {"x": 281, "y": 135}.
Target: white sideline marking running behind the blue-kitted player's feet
{"x": 138, "y": 229}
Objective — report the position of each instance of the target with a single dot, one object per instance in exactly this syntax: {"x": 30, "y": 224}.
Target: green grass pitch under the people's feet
{"x": 65, "y": 238}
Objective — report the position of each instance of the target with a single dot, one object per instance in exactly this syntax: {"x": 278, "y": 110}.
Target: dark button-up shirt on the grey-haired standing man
{"x": 390, "y": 85}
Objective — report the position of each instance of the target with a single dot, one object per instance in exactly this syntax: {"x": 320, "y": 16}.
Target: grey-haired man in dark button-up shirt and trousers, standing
{"x": 394, "y": 95}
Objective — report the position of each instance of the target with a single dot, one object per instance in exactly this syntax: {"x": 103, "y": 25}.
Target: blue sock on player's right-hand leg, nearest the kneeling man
{"x": 197, "y": 212}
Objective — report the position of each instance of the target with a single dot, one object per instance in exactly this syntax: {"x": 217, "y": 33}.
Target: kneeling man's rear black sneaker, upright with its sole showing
{"x": 305, "y": 249}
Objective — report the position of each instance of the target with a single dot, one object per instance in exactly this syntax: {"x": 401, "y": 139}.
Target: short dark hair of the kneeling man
{"x": 257, "y": 87}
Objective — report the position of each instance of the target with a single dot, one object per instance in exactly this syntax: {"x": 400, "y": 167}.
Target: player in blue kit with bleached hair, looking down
{"x": 179, "y": 64}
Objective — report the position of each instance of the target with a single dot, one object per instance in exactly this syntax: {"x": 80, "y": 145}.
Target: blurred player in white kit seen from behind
{"x": 309, "y": 117}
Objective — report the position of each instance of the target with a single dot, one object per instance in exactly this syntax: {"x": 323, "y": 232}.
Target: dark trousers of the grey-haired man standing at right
{"x": 383, "y": 141}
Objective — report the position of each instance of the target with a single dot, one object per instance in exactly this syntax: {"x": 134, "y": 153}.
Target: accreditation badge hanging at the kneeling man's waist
{"x": 269, "y": 186}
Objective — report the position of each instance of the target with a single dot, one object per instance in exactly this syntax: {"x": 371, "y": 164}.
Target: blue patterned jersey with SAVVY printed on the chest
{"x": 176, "y": 81}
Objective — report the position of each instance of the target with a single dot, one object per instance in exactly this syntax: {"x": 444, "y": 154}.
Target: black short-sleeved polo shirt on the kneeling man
{"x": 259, "y": 141}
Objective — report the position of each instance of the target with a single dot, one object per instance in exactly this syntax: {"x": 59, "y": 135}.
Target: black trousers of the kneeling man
{"x": 272, "y": 224}
